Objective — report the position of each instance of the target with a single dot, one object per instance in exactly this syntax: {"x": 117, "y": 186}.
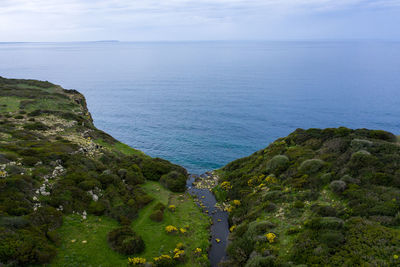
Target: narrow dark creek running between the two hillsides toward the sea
{"x": 220, "y": 225}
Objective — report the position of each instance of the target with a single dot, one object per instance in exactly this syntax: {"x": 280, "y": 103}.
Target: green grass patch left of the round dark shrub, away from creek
{"x": 96, "y": 251}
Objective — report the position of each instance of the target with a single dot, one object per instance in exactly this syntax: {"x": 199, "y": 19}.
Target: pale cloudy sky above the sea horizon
{"x": 185, "y": 20}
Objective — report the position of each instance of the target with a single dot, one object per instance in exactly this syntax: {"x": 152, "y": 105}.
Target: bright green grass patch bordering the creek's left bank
{"x": 187, "y": 213}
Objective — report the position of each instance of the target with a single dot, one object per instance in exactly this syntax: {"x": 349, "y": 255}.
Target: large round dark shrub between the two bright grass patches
{"x": 125, "y": 241}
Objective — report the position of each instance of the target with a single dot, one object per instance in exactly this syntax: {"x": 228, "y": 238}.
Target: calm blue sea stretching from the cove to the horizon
{"x": 204, "y": 104}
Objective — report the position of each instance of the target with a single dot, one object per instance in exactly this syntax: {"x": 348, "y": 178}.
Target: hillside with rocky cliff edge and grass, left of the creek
{"x": 72, "y": 192}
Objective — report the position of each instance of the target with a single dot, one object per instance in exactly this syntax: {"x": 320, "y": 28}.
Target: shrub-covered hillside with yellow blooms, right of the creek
{"x": 316, "y": 198}
